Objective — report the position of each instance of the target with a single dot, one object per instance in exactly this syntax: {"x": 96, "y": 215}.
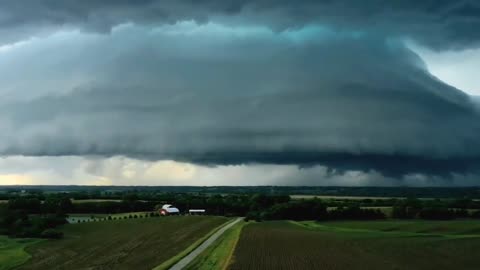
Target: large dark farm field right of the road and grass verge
{"x": 358, "y": 245}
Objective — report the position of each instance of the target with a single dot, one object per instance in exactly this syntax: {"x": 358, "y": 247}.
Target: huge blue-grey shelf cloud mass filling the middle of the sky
{"x": 216, "y": 95}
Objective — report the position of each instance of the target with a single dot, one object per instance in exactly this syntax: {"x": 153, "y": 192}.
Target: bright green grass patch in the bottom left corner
{"x": 12, "y": 251}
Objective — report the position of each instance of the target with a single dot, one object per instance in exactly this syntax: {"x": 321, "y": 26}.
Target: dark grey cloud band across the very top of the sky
{"x": 439, "y": 24}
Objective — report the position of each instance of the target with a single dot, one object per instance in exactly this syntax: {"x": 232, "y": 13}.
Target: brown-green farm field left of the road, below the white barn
{"x": 121, "y": 244}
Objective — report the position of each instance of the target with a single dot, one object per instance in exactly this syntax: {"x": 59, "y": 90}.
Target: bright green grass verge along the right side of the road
{"x": 218, "y": 255}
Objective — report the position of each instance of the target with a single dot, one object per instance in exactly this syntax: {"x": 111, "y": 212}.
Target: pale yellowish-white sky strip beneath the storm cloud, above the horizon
{"x": 74, "y": 170}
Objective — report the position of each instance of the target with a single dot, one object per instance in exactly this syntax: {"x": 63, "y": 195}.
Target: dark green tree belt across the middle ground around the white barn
{"x": 31, "y": 216}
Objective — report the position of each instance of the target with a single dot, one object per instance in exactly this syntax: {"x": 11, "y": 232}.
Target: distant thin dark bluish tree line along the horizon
{"x": 152, "y": 192}
